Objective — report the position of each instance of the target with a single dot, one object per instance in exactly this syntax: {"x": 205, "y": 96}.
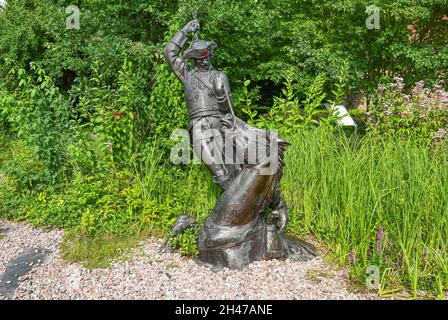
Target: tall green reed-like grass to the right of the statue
{"x": 348, "y": 195}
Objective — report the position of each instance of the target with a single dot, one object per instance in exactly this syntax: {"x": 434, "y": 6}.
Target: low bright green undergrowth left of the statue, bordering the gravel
{"x": 147, "y": 195}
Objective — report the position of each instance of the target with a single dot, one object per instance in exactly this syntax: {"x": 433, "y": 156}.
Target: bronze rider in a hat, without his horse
{"x": 207, "y": 94}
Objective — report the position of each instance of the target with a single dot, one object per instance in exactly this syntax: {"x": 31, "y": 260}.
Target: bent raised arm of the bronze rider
{"x": 174, "y": 47}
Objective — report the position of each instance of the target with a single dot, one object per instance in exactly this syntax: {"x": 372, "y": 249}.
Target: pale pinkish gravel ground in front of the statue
{"x": 150, "y": 274}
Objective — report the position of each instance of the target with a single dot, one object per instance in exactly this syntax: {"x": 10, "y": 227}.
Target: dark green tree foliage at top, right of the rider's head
{"x": 262, "y": 40}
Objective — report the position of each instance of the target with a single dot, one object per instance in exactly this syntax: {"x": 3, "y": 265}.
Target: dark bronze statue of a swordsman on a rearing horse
{"x": 245, "y": 162}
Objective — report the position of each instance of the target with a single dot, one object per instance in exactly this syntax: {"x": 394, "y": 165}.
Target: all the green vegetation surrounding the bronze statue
{"x": 86, "y": 117}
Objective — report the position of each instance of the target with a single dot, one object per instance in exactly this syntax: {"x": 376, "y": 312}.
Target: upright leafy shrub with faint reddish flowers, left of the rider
{"x": 117, "y": 116}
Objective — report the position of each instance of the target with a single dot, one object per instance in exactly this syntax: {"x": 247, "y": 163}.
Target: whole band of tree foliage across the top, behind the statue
{"x": 258, "y": 39}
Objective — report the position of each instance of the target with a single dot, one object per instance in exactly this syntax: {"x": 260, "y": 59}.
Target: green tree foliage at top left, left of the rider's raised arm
{"x": 35, "y": 31}
